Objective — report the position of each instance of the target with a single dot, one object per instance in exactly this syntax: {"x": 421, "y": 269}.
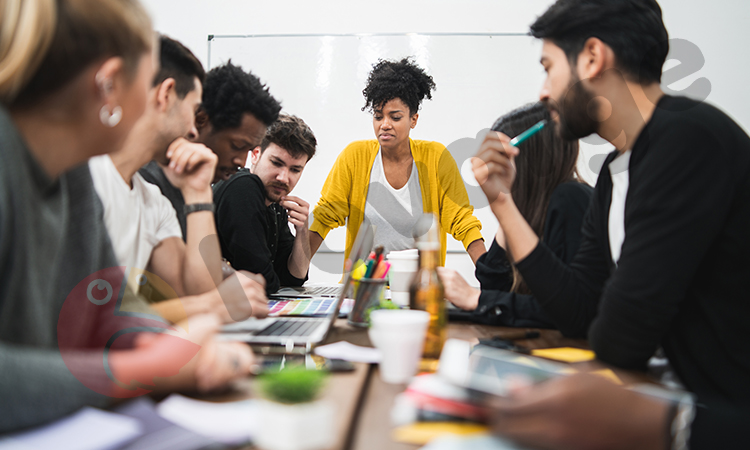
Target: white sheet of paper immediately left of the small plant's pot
{"x": 227, "y": 422}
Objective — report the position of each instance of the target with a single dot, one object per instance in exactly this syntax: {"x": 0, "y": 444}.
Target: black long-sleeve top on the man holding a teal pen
{"x": 682, "y": 278}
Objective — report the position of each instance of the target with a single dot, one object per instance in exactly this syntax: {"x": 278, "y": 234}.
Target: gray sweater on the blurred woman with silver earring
{"x": 52, "y": 236}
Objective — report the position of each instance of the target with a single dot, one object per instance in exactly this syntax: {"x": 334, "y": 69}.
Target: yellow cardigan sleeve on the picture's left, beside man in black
{"x": 334, "y": 205}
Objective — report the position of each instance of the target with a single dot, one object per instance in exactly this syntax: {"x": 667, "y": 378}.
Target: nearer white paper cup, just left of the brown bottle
{"x": 399, "y": 335}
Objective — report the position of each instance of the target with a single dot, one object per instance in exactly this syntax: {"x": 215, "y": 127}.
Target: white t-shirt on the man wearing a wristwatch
{"x": 137, "y": 219}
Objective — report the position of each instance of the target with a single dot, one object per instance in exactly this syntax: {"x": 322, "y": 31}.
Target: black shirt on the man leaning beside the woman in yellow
{"x": 253, "y": 236}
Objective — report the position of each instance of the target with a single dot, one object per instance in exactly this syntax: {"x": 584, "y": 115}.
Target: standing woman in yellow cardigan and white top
{"x": 392, "y": 180}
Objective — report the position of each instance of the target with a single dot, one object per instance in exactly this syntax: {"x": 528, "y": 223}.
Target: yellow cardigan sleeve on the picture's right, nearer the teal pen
{"x": 456, "y": 213}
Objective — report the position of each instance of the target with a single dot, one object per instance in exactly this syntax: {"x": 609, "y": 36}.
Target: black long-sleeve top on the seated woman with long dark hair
{"x": 562, "y": 234}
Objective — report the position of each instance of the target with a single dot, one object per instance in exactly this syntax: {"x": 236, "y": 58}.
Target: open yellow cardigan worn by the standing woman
{"x": 344, "y": 193}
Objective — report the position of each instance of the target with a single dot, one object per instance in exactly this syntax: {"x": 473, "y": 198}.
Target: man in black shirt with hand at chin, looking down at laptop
{"x": 253, "y": 208}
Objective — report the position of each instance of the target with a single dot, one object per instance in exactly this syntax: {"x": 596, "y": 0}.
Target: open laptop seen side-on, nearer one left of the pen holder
{"x": 299, "y": 334}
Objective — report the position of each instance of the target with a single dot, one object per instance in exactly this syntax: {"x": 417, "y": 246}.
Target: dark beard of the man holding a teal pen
{"x": 576, "y": 112}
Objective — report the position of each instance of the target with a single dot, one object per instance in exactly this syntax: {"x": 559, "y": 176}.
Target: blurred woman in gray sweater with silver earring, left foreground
{"x": 74, "y": 75}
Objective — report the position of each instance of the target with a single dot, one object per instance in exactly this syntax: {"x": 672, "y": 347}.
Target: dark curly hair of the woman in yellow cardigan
{"x": 397, "y": 79}
